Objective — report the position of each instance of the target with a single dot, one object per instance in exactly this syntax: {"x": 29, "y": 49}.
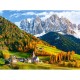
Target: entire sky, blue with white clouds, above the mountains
{"x": 16, "y": 16}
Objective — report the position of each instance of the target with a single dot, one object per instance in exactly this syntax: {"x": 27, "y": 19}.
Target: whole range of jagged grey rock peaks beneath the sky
{"x": 51, "y": 24}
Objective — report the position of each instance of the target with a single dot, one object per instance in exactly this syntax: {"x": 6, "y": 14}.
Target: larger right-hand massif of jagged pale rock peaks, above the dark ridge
{"x": 57, "y": 24}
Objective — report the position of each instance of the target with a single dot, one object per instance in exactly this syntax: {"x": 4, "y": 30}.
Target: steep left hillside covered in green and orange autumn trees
{"x": 14, "y": 39}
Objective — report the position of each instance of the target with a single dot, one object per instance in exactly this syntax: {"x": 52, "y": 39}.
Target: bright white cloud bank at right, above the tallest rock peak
{"x": 73, "y": 16}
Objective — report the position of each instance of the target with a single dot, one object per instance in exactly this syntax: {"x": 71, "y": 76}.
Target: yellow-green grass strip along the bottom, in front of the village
{"x": 35, "y": 66}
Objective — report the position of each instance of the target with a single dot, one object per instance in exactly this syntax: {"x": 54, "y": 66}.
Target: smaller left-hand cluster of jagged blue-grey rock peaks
{"x": 34, "y": 27}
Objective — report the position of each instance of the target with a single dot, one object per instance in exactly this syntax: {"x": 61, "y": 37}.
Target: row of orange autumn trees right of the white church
{"x": 63, "y": 56}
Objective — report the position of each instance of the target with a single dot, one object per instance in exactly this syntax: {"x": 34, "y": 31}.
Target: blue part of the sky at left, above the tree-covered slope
{"x": 16, "y": 15}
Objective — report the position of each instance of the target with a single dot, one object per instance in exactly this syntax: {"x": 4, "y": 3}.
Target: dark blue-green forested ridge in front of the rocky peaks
{"x": 62, "y": 42}
